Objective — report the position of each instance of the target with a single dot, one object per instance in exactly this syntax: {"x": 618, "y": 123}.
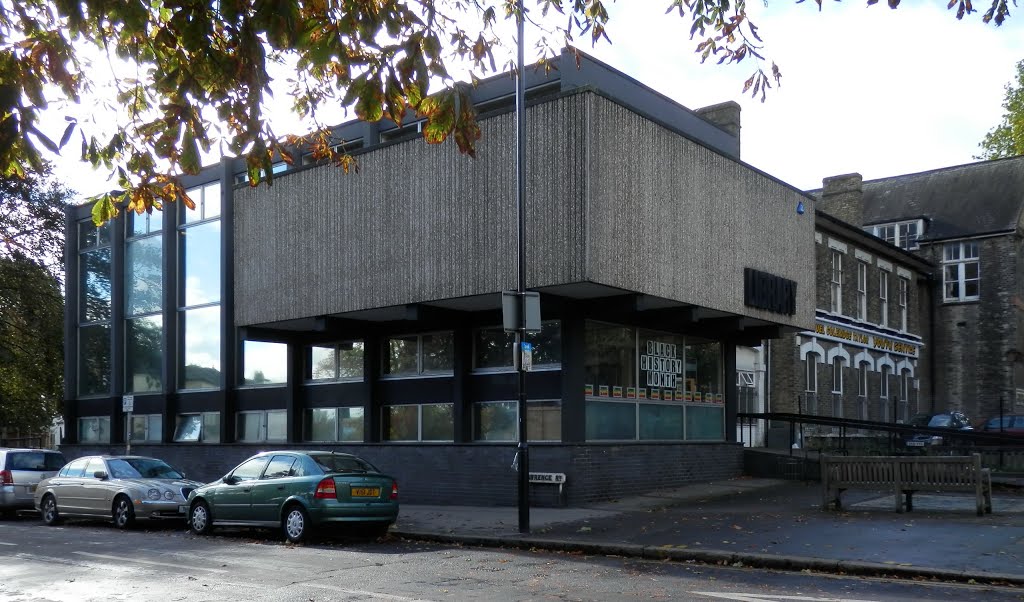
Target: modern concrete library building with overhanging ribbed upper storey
{"x": 363, "y": 312}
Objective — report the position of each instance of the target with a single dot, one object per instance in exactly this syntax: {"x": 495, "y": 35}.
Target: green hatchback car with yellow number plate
{"x": 297, "y": 492}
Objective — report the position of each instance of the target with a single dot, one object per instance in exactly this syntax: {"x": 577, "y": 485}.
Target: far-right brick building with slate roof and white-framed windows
{"x": 967, "y": 222}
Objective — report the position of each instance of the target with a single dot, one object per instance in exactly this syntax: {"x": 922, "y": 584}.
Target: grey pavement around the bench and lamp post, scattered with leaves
{"x": 765, "y": 524}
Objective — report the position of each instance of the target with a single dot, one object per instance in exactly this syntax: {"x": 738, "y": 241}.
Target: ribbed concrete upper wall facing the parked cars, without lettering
{"x": 418, "y": 224}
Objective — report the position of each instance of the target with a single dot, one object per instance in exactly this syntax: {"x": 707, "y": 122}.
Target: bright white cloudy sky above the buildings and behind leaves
{"x": 865, "y": 90}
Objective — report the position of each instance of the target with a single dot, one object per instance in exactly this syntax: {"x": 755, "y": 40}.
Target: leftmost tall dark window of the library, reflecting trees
{"x": 94, "y": 309}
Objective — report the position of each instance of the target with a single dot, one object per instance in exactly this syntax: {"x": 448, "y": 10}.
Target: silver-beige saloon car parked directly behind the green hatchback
{"x": 120, "y": 488}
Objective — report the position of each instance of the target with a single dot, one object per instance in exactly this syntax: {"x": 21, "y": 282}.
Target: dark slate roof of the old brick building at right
{"x": 962, "y": 201}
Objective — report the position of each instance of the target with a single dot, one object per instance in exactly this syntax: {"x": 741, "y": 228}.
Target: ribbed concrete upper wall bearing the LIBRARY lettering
{"x": 671, "y": 219}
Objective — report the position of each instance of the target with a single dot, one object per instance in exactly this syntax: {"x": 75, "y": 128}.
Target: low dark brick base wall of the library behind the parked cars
{"x": 482, "y": 476}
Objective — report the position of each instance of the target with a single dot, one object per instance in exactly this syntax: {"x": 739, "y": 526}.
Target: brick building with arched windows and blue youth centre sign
{"x": 869, "y": 356}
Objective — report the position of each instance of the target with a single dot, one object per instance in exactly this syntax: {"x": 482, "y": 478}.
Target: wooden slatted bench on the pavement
{"x": 906, "y": 476}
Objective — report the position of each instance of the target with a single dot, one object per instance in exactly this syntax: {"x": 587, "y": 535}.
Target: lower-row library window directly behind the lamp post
{"x": 499, "y": 421}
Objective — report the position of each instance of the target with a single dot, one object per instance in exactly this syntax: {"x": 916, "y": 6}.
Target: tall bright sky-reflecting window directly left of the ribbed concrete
{"x": 199, "y": 297}
